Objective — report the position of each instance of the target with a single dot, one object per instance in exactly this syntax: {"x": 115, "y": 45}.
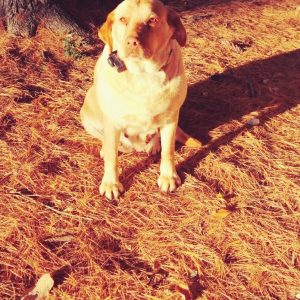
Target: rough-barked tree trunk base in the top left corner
{"x": 23, "y": 17}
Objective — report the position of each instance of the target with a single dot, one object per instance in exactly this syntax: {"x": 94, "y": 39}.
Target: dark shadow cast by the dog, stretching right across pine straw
{"x": 268, "y": 87}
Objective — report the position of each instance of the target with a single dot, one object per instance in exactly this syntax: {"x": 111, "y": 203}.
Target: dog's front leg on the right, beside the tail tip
{"x": 168, "y": 179}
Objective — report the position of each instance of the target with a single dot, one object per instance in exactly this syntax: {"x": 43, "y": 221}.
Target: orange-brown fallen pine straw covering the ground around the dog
{"x": 231, "y": 231}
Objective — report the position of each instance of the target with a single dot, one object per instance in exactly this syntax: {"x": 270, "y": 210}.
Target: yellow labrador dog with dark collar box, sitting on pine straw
{"x": 139, "y": 87}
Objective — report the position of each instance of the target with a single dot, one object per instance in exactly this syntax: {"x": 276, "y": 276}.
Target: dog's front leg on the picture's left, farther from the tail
{"x": 110, "y": 185}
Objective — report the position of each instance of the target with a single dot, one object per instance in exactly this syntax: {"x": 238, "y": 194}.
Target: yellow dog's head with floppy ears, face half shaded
{"x": 141, "y": 28}
